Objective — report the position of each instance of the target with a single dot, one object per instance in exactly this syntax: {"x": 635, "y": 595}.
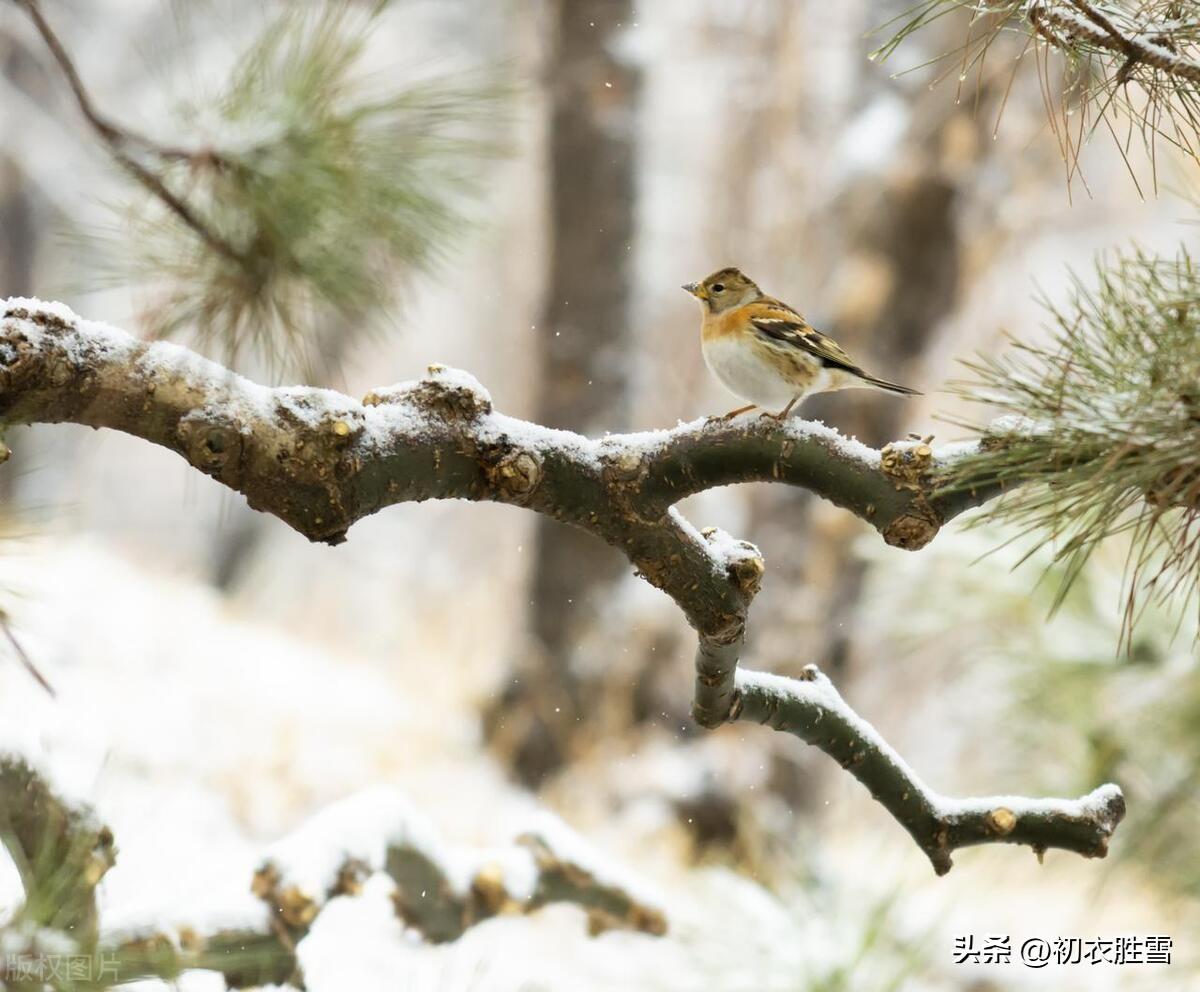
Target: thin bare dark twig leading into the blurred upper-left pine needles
{"x": 118, "y": 139}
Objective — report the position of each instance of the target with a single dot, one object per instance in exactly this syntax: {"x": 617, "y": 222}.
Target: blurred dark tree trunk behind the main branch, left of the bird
{"x": 586, "y": 356}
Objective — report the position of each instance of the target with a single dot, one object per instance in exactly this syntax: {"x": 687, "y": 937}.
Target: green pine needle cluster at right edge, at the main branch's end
{"x": 1103, "y": 429}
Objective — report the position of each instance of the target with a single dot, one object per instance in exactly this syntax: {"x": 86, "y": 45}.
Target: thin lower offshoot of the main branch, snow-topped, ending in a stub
{"x": 812, "y": 710}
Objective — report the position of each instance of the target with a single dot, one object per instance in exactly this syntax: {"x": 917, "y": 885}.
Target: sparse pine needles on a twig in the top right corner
{"x": 1130, "y": 68}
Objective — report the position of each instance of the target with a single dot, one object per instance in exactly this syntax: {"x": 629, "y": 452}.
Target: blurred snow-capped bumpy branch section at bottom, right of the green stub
{"x": 442, "y": 891}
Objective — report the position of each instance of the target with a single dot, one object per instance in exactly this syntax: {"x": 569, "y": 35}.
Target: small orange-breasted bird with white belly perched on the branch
{"x": 766, "y": 353}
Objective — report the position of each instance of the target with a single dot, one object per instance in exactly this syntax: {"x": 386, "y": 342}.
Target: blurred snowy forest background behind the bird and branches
{"x": 220, "y": 680}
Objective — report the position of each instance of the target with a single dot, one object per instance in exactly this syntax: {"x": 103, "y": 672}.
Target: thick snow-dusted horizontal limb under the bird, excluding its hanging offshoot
{"x": 321, "y": 460}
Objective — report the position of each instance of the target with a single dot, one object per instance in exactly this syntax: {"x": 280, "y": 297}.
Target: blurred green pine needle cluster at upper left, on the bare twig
{"x": 321, "y": 188}
